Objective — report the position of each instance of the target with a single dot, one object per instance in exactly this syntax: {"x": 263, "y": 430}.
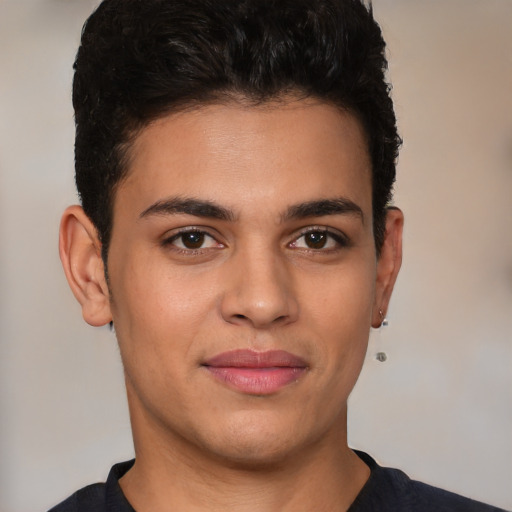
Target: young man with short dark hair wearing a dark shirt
{"x": 235, "y": 162}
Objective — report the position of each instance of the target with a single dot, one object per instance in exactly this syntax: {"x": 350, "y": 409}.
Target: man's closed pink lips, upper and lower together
{"x": 256, "y": 373}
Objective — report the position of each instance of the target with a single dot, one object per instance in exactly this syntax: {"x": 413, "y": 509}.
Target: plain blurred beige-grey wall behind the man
{"x": 439, "y": 408}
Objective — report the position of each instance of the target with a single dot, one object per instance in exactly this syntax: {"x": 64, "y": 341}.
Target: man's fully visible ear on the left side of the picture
{"x": 80, "y": 253}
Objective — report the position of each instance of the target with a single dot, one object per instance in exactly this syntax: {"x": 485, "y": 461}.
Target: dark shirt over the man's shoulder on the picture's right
{"x": 392, "y": 490}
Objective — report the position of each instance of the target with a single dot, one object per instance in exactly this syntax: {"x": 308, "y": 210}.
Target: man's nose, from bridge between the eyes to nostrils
{"x": 259, "y": 292}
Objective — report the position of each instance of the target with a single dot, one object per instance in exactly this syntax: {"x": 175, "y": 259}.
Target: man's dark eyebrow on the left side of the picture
{"x": 188, "y": 206}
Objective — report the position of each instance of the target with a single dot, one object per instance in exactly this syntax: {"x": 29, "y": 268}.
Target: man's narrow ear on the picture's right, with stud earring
{"x": 388, "y": 264}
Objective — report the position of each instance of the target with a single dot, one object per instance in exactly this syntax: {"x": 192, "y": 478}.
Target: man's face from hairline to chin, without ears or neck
{"x": 243, "y": 277}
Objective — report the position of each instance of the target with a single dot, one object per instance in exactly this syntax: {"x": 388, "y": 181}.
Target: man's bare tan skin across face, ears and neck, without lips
{"x": 258, "y": 282}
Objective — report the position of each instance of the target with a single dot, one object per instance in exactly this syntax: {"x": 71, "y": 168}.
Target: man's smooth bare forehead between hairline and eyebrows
{"x": 239, "y": 155}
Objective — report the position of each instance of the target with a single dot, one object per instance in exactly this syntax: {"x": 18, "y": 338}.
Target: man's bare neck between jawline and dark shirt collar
{"x": 172, "y": 473}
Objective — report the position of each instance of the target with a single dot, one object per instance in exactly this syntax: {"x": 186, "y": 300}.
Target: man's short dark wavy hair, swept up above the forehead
{"x": 140, "y": 60}
